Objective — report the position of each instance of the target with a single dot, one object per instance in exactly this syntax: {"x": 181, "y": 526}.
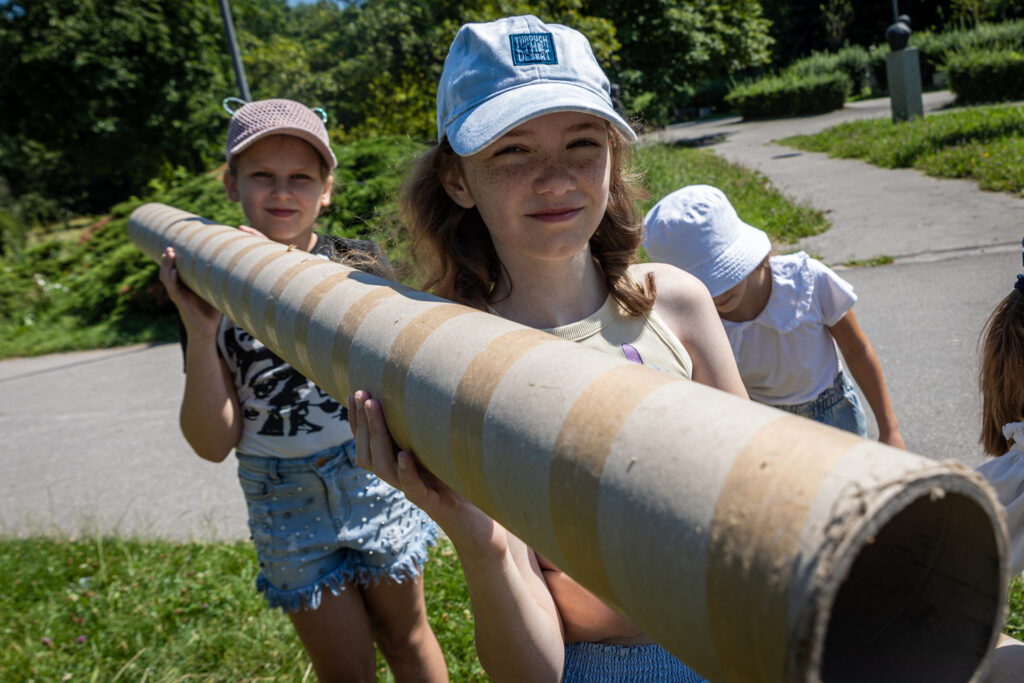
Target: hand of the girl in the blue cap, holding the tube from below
{"x": 473, "y": 532}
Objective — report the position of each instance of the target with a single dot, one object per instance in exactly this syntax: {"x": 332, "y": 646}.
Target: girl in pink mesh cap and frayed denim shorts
{"x": 339, "y": 550}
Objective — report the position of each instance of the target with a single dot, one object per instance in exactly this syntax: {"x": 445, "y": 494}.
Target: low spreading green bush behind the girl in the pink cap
{"x": 103, "y": 291}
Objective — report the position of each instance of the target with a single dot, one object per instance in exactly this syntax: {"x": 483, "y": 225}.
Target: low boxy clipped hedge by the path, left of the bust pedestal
{"x": 790, "y": 96}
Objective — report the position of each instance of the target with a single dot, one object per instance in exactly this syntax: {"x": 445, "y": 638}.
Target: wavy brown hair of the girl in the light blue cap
{"x": 454, "y": 248}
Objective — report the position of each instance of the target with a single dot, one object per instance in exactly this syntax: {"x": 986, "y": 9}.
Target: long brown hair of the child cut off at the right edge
{"x": 1002, "y": 376}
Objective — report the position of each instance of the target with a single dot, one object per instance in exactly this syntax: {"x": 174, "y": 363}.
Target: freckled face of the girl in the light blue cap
{"x": 542, "y": 189}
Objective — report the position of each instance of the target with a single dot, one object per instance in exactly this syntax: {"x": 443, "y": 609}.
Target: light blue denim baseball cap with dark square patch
{"x": 501, "y": 74}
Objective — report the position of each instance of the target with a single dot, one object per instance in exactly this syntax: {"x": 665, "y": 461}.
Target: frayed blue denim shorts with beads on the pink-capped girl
{"x": 323, "y": 523}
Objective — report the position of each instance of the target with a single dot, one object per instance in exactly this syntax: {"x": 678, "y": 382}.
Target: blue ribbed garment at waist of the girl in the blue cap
{"x": 600, "y": 663}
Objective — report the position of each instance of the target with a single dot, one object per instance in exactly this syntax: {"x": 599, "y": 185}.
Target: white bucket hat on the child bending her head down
{"x": 696, "y": 229}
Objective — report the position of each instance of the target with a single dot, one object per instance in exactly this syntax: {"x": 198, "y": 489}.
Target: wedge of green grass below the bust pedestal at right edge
{"x": 986, "y": 144}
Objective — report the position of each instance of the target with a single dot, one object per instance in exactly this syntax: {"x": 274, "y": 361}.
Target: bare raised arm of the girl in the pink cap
{"x": 210, "y": 418}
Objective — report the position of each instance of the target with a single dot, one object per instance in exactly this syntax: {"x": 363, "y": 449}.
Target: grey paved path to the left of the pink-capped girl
{"x": 92, "y": 443}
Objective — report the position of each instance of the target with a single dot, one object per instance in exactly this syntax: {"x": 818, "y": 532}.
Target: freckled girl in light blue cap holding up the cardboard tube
{"x": 526, "y": 209}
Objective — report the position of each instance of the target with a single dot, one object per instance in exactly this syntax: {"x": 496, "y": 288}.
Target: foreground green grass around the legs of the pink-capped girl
{"x": 112, "y": 610}
